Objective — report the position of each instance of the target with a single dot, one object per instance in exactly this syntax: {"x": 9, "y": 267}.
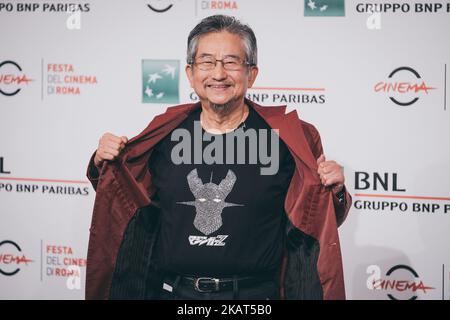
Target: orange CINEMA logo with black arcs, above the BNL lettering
{"x": 404, "y": 86}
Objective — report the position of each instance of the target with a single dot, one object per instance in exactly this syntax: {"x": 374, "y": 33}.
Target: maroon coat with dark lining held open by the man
{"x": 125, "y": 222}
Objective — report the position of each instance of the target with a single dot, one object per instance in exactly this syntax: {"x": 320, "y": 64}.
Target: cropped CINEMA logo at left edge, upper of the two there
{"x": 12, "y": 78}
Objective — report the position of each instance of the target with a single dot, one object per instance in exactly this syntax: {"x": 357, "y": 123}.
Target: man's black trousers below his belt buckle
{"x": 174, "y": 289}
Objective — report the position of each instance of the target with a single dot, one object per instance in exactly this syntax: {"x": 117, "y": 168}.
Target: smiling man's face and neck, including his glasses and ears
{"x": 221, "y": 89}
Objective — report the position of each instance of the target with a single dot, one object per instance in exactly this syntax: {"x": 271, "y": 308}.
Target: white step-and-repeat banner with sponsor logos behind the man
{"x": 370, "y": 75}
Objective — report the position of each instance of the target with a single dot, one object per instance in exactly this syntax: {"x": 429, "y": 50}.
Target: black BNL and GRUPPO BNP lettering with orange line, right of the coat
{"x": 393, "y": 198}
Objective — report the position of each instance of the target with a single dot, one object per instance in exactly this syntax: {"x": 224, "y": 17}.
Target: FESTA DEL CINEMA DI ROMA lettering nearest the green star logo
{"x": 64, "y": 80}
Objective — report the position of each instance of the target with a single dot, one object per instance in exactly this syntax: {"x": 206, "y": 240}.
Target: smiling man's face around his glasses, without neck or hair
{"x": 219, "y": 86}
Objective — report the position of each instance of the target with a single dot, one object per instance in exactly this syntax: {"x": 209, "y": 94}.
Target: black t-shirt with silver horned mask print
{"x": 224, "y": 218}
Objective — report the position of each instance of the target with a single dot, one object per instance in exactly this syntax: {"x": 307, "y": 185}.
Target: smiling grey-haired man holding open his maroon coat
{"x": 175, "y": 217}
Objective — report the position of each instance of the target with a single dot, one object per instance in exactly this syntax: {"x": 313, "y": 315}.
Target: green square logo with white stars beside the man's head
{"x": 160, "y": 81}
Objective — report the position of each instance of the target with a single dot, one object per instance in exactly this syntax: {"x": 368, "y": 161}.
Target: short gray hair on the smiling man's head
{"x": 219, "y": 23}
